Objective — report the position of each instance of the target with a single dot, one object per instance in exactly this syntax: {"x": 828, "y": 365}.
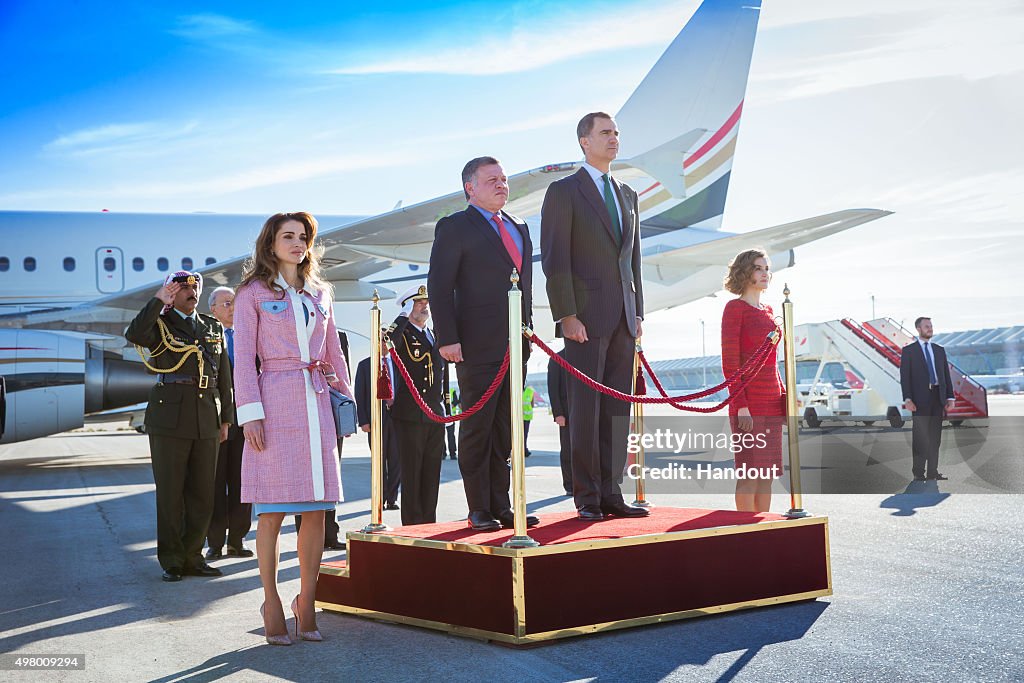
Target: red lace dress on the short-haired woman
{"x": 744, "y": 329}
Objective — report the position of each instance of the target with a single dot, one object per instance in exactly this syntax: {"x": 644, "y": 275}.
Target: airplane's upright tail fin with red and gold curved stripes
{"x": 698, "y": 84}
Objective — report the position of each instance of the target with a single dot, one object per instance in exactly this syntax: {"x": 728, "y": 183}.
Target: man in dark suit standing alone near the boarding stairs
{"x": 928, "y": 393}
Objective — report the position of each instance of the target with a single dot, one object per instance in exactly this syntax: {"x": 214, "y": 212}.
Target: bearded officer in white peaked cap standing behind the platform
{"x": 421, "y": 442}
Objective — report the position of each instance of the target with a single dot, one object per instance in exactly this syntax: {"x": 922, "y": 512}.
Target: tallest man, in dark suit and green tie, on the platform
{"x": 590, "y": 250}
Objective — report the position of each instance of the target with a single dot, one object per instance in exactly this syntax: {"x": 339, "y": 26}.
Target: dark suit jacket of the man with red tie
{"x": 470, "y": 285}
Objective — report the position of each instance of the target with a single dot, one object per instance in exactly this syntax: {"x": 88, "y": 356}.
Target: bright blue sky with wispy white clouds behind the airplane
{"x": 913, "y": 107}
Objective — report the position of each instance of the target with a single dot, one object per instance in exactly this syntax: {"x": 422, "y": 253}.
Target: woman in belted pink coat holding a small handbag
{"x": 284, "y": 325}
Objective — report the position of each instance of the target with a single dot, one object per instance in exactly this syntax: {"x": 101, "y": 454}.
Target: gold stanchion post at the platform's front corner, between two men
{"x": 521, "y": 539}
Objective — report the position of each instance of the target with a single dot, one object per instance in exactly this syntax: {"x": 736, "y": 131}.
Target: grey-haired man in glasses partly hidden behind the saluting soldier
{"x": 232, "y": 518}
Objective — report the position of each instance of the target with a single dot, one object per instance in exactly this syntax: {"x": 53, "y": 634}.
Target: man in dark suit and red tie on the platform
{"x": 473, "y": 260}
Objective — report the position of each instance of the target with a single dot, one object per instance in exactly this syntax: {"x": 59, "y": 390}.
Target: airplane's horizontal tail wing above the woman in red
{"x": 710, "y": 248}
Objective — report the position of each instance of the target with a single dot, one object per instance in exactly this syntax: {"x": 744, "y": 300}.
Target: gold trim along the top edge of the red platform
{"x": 598, "y": 544}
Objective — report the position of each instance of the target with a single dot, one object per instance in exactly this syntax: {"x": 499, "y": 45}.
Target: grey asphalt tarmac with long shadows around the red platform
{"x": 928, "y": 586}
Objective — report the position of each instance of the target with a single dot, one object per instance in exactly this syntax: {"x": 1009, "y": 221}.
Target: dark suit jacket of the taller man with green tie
{"x": 589, "y": 276}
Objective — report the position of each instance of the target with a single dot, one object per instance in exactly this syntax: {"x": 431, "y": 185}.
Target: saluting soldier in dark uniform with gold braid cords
{"x": 183, "y": 420}
